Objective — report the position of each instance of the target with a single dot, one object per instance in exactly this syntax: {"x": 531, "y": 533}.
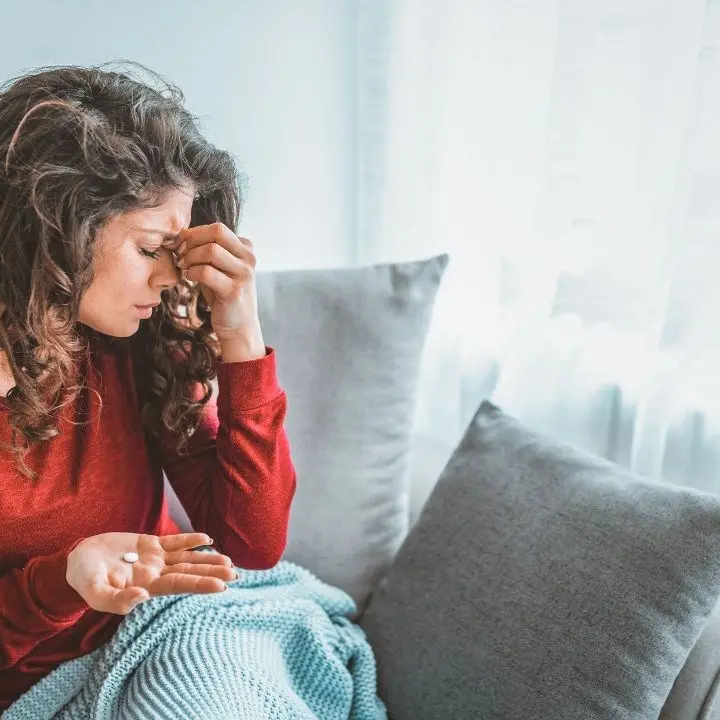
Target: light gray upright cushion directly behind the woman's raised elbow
{"x": 349, "y": 344}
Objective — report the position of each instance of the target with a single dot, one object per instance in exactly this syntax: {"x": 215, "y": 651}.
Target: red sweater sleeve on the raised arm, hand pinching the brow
{"x": 238, "y": 481}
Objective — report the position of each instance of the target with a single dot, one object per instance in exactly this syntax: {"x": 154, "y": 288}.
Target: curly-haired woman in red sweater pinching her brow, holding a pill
{"x": 124, "y": 292}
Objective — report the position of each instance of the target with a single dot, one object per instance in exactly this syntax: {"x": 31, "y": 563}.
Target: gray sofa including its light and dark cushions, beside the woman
{"x": 511, "y": 576}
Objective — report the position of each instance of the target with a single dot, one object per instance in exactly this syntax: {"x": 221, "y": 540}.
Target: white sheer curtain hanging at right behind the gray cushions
{"x": 567, "y": 156}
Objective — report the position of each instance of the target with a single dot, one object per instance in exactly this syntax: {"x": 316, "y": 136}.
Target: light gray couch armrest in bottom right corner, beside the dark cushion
{"x": 696, "y": 692}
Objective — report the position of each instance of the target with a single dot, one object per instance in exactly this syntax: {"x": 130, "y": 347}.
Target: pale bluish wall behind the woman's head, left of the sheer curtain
{"x": 273, "y": 80}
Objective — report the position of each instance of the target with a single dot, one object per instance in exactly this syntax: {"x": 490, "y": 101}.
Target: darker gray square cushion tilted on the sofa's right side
{"x": 541, "y": 582}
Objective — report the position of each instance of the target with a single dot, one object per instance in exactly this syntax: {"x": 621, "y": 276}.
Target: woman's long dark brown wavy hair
{"x": 78, "y": 146}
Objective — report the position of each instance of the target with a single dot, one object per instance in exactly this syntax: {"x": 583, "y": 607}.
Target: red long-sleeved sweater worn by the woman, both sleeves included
{"x": 100, "y": 474}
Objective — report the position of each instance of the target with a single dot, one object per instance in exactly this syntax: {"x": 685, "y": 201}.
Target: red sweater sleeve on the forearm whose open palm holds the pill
{"x": 36, "y": 603}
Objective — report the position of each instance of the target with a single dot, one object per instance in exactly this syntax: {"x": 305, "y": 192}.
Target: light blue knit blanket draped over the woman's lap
{"x": 276, "y": 645}
